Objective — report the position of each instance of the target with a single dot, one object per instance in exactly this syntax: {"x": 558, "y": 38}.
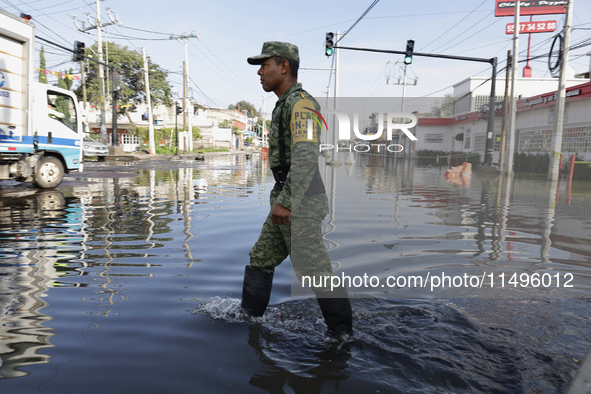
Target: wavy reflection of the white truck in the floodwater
{"x": 40, "y": 246}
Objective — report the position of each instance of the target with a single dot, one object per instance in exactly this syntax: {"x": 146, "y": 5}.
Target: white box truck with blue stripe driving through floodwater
{"x": 41, "y": 129}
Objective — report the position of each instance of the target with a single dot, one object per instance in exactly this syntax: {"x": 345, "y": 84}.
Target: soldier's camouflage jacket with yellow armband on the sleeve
{"x": 301, "y": 153}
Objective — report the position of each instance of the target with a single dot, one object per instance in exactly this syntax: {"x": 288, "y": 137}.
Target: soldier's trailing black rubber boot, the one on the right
{"x": 336, "y": 311}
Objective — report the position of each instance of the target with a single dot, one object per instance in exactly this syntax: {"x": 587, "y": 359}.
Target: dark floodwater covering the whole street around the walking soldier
{"x": 128, "y": 279}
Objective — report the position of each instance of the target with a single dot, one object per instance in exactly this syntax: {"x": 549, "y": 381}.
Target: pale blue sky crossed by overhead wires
{"x": 230, "y": 31}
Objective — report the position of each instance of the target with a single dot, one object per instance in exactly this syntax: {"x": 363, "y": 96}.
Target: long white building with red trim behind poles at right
{"x": 534, "y": 121}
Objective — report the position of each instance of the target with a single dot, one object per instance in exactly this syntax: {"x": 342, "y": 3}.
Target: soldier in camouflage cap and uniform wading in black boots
{"x": 293, "y": 150}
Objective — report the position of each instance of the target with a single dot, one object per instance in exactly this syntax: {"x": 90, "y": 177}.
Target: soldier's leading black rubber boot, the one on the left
{"x": 256, "y": 291}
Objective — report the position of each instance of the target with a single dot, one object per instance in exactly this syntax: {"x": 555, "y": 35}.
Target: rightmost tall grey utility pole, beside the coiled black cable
{"x": 556, "y": 146}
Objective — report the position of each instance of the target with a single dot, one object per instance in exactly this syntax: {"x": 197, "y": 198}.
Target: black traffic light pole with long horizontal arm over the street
{"x": 491, "y": 106}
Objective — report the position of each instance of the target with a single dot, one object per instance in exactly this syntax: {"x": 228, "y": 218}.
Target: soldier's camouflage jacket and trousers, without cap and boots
{"x": 302, "y": 194}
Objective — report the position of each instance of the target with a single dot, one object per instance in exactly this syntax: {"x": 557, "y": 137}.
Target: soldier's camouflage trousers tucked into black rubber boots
{"x": 301, "y": 239}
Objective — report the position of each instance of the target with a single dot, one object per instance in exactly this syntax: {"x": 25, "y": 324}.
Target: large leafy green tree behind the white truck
{"x": 130, "y": 74}
